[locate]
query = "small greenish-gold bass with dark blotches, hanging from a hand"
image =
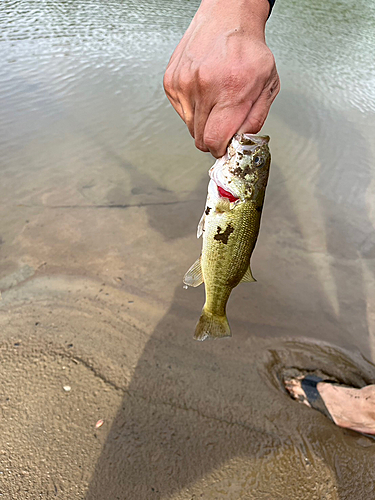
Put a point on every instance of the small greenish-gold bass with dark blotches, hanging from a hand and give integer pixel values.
(229, 228)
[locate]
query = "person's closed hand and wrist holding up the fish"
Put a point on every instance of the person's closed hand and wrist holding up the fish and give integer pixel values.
(222, 77)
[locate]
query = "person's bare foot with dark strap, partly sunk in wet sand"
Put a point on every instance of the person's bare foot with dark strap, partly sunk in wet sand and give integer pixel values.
(347, 407)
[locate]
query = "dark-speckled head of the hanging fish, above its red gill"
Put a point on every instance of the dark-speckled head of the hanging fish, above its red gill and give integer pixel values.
(243, 170)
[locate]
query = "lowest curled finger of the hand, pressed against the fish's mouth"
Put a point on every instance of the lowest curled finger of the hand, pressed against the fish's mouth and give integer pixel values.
(221, 125)
